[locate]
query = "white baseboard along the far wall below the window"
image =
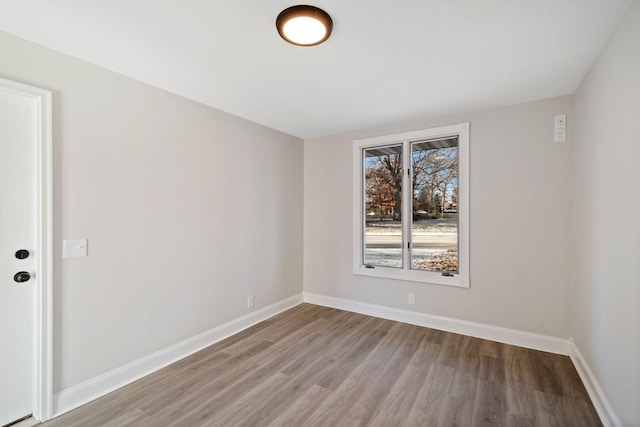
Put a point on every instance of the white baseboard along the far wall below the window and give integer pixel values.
(464, 327)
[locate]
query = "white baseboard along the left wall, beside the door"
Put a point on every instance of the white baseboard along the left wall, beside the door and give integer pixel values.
(92, 389)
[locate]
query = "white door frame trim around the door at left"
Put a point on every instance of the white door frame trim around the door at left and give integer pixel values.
(42, 302)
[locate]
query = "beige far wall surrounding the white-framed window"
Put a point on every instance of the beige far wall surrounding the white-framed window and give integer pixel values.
(520, 222)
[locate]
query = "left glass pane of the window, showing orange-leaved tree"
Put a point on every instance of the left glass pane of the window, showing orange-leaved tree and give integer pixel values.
(383, 206)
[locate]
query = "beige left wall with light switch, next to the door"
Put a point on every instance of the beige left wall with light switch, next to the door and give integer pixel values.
(188, 210)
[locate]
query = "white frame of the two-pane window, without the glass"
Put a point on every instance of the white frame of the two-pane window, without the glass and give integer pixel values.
(459, 279)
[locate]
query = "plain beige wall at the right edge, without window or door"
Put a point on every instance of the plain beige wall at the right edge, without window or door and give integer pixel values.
(606, 287)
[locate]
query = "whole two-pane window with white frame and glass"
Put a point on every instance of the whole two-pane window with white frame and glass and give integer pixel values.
(411, 206)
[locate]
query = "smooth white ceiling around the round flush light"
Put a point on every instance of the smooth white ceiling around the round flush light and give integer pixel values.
(385, 61)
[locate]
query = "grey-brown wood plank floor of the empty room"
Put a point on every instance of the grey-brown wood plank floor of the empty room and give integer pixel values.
(316, 366)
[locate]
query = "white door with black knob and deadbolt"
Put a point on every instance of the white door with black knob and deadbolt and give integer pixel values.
(18, 222)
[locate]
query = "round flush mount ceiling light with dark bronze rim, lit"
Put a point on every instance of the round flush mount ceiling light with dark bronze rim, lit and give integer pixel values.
(304, 25)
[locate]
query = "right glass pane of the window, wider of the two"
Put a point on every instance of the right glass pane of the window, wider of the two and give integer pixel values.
(434, 227)
